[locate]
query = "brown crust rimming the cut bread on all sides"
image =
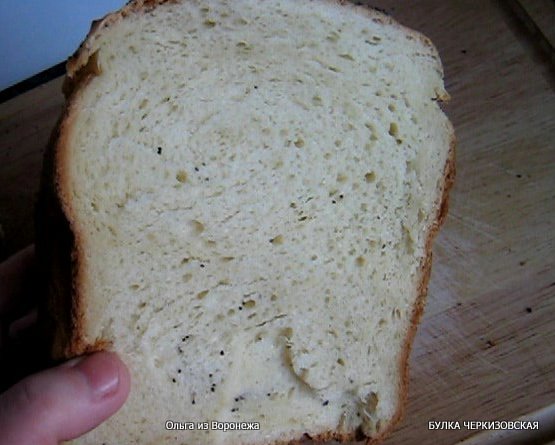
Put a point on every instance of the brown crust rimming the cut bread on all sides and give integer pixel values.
(60, 239)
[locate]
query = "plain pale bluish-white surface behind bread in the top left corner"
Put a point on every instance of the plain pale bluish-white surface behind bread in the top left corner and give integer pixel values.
(38, 34)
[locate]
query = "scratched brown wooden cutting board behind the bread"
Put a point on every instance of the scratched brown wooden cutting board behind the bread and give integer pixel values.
(486, 347)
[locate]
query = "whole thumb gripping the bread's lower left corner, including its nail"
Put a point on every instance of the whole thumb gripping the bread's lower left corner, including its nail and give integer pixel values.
(64, 402)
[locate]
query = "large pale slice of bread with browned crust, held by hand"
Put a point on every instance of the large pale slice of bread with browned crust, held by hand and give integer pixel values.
(240, 200)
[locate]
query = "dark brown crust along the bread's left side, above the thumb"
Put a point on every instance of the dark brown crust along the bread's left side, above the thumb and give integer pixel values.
(57, 252)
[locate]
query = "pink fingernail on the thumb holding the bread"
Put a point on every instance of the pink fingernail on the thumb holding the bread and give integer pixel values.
(101, 372)
